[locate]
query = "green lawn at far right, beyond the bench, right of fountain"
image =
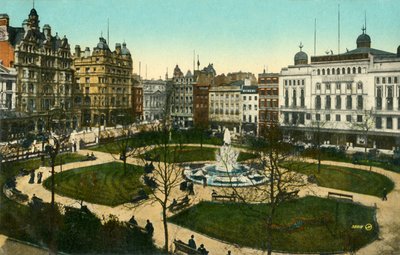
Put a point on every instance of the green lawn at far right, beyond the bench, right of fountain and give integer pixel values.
(348, 179)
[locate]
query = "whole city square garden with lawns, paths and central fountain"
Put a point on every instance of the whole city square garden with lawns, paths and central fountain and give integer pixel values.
(148, 175)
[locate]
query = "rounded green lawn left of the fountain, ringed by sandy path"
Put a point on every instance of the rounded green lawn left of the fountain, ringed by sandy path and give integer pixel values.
(105, 184)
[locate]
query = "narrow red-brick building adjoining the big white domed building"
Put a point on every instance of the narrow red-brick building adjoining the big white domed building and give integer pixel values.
(268, 92)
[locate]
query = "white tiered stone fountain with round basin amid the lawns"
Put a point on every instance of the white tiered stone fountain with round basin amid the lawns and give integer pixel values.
(226, 171)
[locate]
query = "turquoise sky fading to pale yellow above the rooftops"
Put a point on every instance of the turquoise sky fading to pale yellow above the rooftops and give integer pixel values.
(234, 35)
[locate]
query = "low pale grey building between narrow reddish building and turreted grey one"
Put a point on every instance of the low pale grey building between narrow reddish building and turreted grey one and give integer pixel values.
(154, 98)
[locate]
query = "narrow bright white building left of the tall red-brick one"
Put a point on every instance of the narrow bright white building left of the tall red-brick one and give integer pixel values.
(249, 104)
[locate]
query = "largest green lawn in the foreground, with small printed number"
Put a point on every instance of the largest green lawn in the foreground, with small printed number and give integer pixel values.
(304, 225)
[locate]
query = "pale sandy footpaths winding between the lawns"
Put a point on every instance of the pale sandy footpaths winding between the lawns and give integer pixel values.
(387, 211)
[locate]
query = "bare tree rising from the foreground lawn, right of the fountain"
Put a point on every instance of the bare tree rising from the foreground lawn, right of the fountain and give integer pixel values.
(277, 163)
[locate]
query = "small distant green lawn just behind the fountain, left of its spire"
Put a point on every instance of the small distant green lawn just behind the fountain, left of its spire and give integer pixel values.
(184, 154)
